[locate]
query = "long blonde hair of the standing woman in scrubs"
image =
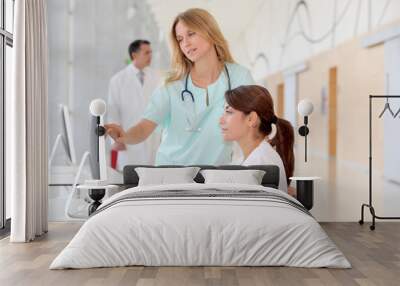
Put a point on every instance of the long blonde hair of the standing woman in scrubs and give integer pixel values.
(202, 22)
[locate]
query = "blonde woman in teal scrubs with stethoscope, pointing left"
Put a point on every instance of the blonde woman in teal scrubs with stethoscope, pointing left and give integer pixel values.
(189, 105)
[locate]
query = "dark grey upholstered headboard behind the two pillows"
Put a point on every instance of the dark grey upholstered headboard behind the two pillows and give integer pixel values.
(270, 179)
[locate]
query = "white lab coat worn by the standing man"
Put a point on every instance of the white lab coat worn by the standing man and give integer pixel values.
(127, 100)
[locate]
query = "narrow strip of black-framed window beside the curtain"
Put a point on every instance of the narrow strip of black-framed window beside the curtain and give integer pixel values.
(6, 65)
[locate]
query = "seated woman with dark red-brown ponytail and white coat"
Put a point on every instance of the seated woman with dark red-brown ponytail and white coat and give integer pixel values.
(249, 119)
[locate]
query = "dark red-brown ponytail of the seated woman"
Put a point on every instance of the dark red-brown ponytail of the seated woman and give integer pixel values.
(283, 141)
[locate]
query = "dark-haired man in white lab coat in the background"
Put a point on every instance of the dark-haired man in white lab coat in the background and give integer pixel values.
(129, 92)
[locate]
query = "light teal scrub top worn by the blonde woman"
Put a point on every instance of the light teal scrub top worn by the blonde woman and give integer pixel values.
(204, 145)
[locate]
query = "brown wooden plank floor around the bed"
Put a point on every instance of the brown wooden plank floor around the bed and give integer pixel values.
(374, 255)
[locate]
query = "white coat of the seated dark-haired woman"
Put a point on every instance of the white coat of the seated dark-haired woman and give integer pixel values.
(265, 154)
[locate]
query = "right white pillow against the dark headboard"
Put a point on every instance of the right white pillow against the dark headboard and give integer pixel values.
(248, 177)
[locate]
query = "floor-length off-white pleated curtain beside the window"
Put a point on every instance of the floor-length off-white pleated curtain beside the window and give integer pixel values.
(26, 117)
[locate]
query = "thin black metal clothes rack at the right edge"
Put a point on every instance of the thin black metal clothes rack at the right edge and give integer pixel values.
(369, 205)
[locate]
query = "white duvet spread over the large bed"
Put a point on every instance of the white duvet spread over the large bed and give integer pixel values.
(200, 231)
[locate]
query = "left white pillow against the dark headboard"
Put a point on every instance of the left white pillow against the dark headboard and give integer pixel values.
(162, 176)
